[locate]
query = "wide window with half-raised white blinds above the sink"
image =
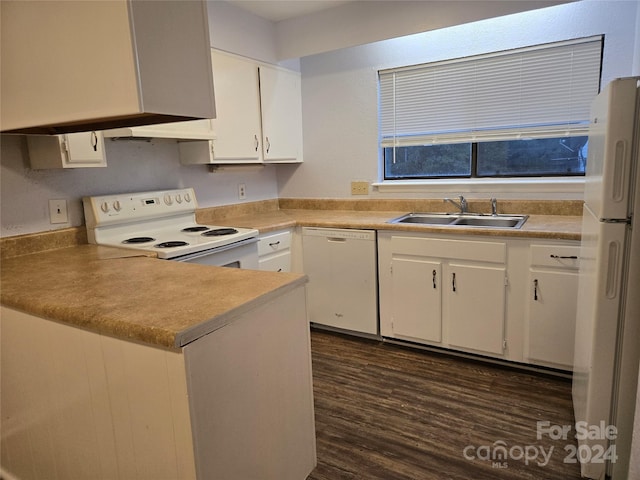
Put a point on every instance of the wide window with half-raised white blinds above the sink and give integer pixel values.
(518, 113)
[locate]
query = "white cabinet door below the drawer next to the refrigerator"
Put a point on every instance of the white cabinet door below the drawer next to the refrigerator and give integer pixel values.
(552, 316)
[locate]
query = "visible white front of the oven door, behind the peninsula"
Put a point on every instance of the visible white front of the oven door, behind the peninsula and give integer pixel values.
(242, 254)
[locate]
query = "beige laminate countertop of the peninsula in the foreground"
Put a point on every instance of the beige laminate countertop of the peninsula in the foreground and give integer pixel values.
(137, 298)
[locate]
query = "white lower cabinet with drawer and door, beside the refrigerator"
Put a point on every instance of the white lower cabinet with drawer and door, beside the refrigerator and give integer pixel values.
(551, 305)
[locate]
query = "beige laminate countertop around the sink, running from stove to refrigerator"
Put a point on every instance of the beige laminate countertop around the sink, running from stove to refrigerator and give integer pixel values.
(559, 227)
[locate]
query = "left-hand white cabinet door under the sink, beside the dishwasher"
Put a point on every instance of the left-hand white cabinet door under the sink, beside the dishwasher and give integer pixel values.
(416, 292)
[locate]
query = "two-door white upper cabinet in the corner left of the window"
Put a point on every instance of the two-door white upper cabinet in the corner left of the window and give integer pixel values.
(259, 115)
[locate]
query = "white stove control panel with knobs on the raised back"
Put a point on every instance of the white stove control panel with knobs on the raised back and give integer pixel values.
(134, 207)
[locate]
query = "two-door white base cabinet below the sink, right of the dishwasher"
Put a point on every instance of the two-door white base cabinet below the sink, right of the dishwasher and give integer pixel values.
(443, 291)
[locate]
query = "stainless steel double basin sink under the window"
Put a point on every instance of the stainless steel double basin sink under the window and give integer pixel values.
(463, 220)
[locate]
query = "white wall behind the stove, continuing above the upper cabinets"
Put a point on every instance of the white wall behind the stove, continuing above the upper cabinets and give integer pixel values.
(134, 165)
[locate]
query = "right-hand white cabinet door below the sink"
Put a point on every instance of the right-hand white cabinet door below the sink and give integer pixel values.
(475, 306)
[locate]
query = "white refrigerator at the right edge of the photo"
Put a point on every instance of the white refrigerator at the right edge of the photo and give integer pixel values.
(607, 344)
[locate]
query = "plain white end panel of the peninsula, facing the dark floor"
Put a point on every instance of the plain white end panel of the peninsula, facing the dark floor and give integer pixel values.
(251, 395)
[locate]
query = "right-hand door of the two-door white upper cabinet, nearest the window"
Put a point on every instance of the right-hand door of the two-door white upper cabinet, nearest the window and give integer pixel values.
(281, 101)
